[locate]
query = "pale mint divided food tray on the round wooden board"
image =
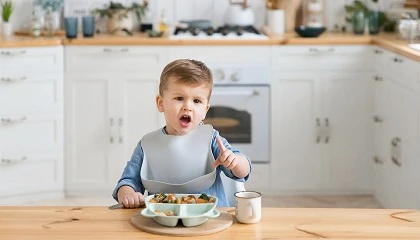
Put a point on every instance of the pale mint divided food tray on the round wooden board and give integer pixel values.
(191, 215)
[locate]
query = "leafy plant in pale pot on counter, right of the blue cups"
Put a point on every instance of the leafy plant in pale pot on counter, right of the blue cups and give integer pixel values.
(120, 18)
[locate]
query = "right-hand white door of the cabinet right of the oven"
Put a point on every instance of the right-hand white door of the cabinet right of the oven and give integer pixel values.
(346, 112)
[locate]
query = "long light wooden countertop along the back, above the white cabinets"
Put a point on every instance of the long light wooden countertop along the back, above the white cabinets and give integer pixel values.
(387, 41)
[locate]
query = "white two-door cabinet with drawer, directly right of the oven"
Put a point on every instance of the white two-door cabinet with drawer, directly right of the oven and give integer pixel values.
(320, 139)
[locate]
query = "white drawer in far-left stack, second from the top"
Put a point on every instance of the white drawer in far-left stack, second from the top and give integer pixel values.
(20, 92)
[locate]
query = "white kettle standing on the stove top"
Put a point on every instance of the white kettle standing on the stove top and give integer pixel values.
(239, 14)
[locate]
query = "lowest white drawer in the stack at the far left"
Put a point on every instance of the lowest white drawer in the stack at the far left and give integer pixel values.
(43, 173)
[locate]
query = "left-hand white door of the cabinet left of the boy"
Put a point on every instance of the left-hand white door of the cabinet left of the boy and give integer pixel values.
(89, 132)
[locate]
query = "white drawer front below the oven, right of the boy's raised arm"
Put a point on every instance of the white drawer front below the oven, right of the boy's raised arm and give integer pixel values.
(260, 178)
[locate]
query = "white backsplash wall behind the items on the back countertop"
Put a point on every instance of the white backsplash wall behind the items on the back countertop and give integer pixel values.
(175, 10)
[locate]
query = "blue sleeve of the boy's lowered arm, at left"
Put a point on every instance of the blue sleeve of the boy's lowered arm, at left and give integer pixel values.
(131, 174)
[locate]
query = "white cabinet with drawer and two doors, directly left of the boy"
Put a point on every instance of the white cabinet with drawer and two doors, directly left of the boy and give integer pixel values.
(108, 112)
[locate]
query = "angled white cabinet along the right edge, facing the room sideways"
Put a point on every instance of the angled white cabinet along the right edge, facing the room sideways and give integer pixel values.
(396, 131)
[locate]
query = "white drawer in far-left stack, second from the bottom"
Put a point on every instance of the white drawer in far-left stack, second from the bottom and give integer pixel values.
(30, 132)
